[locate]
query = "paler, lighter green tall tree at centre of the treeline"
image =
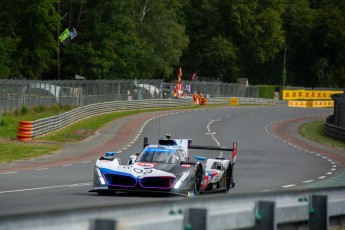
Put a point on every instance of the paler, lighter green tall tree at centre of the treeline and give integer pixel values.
(161, 35)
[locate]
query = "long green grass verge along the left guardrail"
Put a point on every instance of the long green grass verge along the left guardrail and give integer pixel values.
(12, 150)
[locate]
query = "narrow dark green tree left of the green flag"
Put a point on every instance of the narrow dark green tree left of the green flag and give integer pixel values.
(35, 22)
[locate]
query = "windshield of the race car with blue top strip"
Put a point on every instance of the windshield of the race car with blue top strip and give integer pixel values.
(157, 155)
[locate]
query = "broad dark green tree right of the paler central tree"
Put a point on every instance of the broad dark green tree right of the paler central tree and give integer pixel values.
(253, 27)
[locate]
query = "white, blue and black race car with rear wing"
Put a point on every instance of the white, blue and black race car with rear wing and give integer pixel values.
(165, 168)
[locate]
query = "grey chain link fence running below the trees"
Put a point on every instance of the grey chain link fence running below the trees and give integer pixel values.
(15, 94)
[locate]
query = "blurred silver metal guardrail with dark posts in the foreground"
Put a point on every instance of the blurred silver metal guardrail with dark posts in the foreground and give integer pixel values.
(315, 209)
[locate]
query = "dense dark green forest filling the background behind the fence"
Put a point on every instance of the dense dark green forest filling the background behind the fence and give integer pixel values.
(282, 42)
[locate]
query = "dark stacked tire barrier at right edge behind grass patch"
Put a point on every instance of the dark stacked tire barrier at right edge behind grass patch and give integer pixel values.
(335, 124)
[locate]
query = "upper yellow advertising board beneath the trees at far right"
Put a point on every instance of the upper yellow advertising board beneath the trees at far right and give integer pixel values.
(309, 94)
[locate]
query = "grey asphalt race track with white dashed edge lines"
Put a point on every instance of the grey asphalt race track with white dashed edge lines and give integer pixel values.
(271, 156)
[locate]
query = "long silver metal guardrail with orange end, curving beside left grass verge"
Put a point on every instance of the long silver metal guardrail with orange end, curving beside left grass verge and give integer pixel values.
(49, 124)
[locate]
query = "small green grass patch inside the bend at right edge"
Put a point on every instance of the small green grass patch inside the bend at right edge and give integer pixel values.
(314, 131)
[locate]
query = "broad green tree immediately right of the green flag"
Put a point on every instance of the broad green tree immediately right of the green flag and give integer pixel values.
(107, 45)
